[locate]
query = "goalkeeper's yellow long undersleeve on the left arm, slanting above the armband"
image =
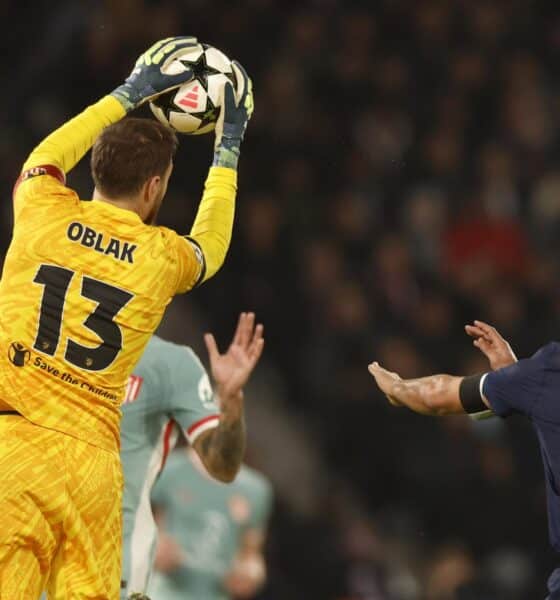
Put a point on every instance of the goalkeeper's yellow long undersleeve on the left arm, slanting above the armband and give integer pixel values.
(67, 145)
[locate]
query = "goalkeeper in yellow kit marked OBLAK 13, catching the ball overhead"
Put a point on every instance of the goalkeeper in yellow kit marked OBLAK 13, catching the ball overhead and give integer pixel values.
(84, 286)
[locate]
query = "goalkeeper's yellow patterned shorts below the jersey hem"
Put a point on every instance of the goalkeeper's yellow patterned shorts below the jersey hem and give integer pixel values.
(60, 501)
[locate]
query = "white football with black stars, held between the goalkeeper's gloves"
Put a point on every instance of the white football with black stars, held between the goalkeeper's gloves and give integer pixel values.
(195, 106)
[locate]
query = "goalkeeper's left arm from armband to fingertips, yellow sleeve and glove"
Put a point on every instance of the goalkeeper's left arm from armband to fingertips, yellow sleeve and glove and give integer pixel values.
(63, 148)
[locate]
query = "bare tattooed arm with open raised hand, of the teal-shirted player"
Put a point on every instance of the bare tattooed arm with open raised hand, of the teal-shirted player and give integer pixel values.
(222, 448)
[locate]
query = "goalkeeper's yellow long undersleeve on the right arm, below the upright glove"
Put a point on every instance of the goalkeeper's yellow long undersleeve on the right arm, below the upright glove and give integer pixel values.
(214, 220)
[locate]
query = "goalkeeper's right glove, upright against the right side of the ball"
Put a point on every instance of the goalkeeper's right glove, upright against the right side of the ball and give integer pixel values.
(233, 119)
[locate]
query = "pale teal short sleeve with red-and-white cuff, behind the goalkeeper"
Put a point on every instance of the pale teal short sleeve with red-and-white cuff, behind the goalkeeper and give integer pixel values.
(192, 403)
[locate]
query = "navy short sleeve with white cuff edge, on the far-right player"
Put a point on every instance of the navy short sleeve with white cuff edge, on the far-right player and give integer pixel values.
(518, 388)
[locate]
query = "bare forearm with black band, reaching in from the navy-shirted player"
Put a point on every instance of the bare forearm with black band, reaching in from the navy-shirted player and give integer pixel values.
(436, 395)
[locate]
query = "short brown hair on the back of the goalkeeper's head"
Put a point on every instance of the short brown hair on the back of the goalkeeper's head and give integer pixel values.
(128, 153)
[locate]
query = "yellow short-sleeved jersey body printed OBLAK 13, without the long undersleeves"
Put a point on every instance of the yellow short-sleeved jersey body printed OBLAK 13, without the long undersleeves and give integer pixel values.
(48, 388)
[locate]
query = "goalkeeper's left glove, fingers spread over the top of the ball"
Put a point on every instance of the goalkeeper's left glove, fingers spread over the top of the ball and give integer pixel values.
(148, 79)
